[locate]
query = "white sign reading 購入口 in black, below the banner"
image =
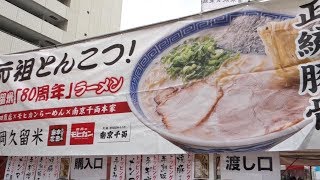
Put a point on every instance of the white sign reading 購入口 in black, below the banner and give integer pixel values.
(88, 167)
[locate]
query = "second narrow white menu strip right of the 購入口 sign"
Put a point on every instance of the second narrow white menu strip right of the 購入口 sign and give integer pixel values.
(133, 167)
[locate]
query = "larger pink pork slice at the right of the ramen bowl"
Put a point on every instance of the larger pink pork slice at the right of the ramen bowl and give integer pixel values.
(251, 106)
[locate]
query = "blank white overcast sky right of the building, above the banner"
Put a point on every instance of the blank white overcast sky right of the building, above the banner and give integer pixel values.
(142, 12)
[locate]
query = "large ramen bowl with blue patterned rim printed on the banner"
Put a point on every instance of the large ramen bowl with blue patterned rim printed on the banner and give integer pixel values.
(221, 85)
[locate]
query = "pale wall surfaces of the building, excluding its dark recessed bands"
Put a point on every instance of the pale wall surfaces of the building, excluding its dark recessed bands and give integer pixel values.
(104, 17)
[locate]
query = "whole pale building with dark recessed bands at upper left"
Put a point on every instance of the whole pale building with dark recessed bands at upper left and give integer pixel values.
(31, 24)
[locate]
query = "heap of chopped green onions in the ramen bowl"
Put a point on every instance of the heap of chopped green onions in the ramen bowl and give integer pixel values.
(195, 59)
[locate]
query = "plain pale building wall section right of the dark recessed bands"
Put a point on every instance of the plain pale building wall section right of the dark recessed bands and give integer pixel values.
(104, 17)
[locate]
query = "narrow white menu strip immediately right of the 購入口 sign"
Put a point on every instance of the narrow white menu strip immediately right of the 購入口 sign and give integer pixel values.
(118, 168)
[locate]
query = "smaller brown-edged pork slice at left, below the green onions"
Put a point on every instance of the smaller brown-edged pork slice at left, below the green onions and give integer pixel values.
(188, 107)
